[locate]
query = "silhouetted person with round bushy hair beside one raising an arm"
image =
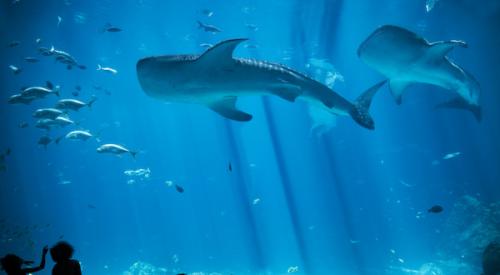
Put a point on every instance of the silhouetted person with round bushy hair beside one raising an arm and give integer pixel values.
(61, 253)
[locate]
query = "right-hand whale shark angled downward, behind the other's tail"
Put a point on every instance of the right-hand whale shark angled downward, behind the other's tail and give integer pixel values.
(406, 58)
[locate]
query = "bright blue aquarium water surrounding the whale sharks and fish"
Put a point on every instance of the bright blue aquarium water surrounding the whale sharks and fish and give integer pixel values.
(344, 201)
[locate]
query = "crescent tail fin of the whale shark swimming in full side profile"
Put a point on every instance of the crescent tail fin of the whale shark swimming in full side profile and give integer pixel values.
(361, 111)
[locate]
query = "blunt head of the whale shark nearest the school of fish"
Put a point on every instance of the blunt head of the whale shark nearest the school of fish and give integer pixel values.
(165, 76)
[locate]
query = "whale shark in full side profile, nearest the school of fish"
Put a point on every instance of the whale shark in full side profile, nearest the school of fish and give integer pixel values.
(215, 79)
